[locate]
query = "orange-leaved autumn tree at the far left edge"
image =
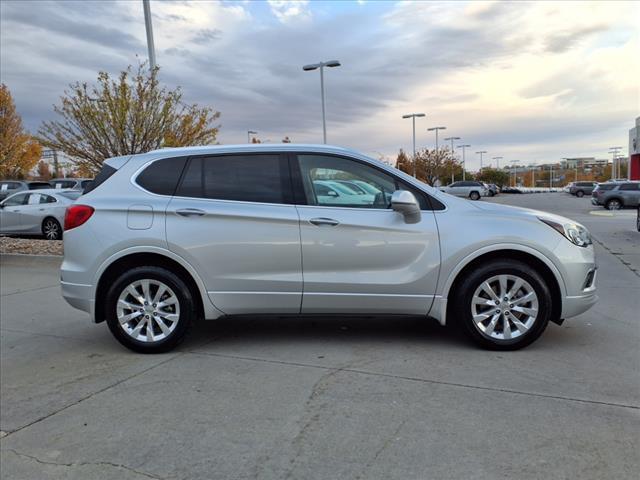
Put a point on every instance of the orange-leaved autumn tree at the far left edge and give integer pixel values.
(19, 151)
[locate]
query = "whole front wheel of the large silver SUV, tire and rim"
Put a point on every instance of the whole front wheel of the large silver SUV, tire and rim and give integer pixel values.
(502, 305)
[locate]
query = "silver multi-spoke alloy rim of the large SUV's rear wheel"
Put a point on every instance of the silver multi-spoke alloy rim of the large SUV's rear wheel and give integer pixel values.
(148, 310)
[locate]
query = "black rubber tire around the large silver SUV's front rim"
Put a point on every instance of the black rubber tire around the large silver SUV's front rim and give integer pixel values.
(461, 316)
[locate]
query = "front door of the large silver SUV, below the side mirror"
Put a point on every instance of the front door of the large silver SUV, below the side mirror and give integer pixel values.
(359, 256)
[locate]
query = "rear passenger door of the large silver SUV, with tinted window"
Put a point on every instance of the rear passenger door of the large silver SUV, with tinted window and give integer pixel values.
(233, 219)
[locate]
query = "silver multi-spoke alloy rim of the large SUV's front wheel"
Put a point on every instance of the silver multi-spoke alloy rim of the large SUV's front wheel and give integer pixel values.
(504, 307)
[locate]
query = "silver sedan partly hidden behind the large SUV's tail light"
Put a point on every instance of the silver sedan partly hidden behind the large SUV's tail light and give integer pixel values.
(36, 213)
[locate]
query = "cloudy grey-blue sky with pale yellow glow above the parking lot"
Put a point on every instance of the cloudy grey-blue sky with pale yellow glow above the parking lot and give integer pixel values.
(529, 81)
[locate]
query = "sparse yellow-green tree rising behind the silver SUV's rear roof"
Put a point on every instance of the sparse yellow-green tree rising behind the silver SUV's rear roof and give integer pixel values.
(129, 114)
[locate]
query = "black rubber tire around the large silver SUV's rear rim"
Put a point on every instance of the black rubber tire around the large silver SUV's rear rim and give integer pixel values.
(187, 306)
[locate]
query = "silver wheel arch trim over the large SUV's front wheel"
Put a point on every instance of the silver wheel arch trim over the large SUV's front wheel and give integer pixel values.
(527, 255)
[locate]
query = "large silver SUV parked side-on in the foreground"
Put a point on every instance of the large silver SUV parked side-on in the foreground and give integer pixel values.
(173, 235)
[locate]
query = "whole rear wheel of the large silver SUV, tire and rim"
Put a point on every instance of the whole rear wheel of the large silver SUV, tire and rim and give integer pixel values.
(150, 309)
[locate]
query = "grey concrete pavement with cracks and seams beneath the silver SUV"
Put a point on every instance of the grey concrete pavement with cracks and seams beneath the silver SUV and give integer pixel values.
(325, 398)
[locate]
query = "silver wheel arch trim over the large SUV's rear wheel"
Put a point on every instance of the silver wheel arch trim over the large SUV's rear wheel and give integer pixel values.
(113, 267)
